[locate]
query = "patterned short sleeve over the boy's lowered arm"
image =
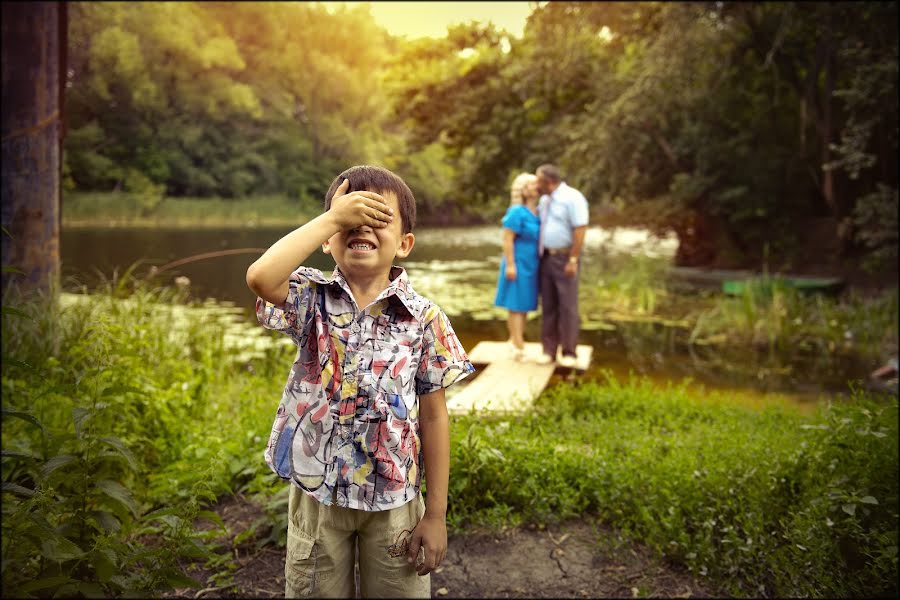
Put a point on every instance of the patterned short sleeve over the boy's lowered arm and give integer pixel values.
(443, 361)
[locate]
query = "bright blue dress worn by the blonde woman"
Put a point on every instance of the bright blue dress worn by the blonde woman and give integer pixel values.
(520, 295)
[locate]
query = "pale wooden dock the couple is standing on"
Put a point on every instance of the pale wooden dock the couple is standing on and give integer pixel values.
(503, 384)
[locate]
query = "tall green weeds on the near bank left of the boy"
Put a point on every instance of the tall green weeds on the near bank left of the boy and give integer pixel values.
(124, 417)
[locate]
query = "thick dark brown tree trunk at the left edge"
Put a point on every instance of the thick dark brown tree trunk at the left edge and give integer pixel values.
(33, 83)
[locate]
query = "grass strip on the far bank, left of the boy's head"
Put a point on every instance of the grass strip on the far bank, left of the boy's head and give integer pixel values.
(133, 210)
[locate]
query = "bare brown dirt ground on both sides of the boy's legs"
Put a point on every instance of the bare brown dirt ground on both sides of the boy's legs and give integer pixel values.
(574, 560)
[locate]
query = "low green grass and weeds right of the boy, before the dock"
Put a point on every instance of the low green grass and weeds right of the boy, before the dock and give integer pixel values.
(761, 502)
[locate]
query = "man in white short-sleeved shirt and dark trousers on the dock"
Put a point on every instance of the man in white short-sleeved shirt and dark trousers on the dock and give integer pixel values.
(564, 218)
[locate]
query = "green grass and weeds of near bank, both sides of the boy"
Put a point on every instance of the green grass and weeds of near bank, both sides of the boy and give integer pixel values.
(127, 413)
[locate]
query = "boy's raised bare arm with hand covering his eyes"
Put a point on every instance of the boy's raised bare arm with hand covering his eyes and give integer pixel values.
(268, 276)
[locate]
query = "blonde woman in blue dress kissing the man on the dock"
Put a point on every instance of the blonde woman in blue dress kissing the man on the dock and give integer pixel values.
(517, 285)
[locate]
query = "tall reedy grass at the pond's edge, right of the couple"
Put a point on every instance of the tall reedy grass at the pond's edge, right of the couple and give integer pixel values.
(768, 315)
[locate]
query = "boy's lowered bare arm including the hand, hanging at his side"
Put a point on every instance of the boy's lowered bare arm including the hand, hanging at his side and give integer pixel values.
(431, 532)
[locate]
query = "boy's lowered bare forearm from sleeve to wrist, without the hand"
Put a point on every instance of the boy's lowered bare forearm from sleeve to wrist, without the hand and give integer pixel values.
(434, 429)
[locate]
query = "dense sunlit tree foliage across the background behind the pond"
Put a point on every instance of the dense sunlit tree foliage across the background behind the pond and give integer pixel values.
(745, 127)
